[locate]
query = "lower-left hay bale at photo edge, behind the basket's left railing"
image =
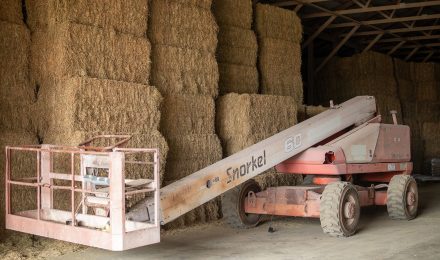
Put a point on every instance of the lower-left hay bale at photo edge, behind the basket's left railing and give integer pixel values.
(23, 164)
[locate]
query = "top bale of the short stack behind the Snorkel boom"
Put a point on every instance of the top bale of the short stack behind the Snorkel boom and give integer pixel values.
(253, 115)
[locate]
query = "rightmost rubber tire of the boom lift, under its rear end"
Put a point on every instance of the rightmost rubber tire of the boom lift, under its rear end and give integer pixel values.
(397, 197)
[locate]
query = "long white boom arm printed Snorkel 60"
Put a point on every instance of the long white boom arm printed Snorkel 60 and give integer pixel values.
(212, 181)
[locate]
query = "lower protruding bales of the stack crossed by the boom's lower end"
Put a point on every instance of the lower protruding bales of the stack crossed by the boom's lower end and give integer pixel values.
(188, 125)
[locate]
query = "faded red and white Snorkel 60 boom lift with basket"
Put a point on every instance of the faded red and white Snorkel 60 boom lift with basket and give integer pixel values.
(355, 160)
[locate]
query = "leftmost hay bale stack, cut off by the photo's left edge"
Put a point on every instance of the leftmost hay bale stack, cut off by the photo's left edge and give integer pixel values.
(16, 97)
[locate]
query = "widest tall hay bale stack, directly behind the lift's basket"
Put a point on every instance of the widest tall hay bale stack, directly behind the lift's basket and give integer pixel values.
(90, 65)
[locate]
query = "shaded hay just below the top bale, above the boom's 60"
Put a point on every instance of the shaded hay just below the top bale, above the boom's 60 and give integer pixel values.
(280, 68)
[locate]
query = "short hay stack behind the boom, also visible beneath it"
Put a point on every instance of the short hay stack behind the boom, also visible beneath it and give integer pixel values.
(243, 120)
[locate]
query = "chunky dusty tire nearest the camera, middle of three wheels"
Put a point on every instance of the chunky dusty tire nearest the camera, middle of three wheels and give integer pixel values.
(333, 200)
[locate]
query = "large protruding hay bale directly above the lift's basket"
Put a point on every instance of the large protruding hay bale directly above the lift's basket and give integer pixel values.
(86, 104)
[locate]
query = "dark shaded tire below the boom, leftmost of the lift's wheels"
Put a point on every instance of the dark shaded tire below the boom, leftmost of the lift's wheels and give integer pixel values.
(233, 206)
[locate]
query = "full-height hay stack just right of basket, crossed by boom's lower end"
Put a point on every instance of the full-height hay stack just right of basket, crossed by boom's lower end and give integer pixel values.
(184, 69)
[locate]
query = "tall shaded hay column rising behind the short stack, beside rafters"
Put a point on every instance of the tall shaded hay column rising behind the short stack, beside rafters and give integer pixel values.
(279, 34)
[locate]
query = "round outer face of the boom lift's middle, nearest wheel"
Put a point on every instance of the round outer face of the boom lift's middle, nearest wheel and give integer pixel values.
(349, 211)
